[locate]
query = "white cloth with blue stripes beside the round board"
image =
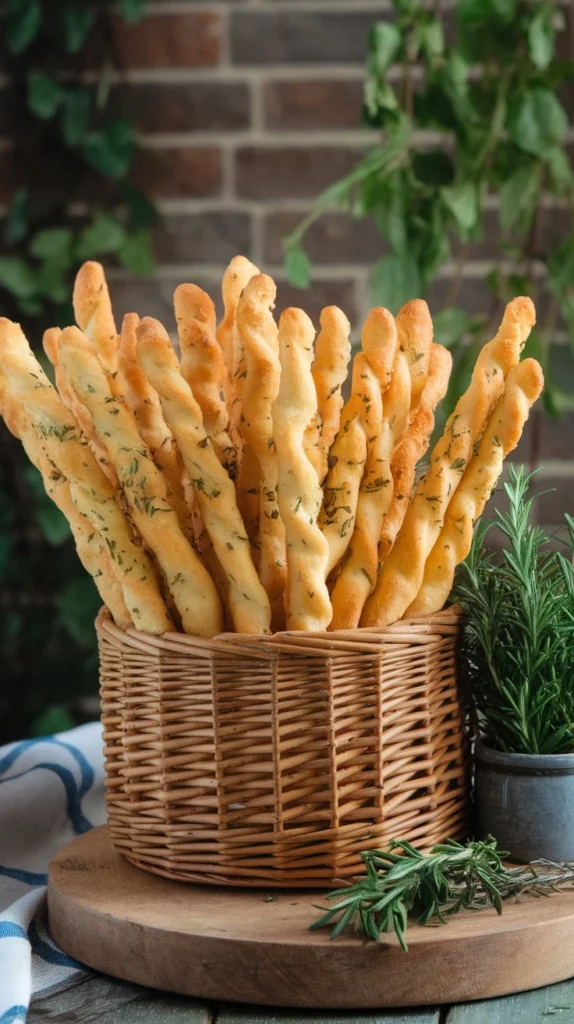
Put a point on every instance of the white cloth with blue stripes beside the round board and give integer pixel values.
(52, 790)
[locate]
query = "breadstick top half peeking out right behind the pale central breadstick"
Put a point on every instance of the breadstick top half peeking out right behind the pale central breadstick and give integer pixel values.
(333, 353)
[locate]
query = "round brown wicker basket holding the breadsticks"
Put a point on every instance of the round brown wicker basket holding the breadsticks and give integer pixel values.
(254, 761)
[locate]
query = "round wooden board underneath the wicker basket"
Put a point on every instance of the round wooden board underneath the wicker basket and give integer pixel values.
(254, 946)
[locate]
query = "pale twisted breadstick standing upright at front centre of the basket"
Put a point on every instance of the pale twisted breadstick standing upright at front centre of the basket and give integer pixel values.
(300, 495)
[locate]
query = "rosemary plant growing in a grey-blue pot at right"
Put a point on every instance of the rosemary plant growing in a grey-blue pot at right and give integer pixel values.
(519, 649)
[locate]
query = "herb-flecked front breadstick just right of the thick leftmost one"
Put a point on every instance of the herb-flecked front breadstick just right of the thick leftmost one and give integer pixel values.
(189, 582)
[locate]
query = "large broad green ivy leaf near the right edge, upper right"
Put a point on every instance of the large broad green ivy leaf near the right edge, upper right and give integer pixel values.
(537, 121)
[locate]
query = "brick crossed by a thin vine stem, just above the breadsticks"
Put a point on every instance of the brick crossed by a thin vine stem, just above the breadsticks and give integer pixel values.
(336, 238)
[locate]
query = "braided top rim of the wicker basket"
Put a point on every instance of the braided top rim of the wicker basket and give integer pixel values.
(410, 631)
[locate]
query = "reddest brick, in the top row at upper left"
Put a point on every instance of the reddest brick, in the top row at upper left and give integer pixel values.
(180, 40)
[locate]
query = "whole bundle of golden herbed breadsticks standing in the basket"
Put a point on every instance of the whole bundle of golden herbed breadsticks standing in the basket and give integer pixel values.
(234, 489)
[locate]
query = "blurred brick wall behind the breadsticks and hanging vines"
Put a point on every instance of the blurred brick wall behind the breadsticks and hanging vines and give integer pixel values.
(246, 109)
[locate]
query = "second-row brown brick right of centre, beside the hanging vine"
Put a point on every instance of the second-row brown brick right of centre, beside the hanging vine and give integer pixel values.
(308, 105)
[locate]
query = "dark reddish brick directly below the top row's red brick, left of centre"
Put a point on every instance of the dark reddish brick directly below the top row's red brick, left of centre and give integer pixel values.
(190, 107)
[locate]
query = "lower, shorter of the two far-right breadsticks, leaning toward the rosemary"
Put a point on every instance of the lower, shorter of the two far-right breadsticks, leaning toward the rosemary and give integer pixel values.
(504, 430)
